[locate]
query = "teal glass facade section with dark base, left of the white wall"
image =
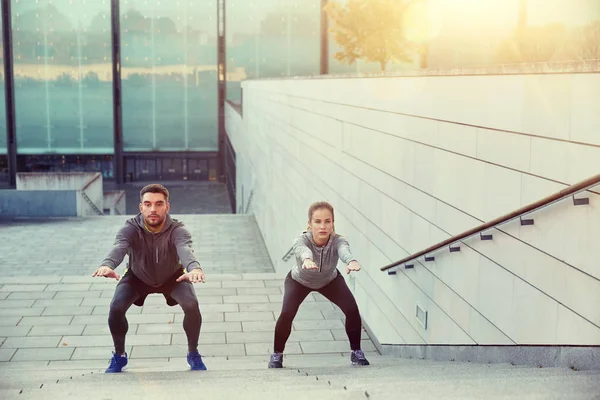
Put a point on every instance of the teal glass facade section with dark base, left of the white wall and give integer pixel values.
(67, 97)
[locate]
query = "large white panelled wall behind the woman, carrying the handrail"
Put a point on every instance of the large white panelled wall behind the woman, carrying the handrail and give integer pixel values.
(408, 162)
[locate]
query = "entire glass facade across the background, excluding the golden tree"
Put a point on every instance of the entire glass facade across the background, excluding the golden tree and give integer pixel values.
(135, 89)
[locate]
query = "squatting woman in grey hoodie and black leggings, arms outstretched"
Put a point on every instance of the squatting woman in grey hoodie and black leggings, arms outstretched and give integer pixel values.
(317, 253)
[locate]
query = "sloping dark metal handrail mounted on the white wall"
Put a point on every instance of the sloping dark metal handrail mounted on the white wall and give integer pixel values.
(558, 196)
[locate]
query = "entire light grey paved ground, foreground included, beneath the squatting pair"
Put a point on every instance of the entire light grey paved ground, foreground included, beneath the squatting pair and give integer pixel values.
(55, 343)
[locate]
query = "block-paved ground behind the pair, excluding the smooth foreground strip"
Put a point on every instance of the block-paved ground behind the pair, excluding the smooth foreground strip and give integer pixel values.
(53, 314)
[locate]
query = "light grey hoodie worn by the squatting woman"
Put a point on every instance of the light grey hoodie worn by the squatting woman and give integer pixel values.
(326, 258)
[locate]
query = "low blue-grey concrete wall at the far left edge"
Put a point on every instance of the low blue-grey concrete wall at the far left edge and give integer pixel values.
(35, 203)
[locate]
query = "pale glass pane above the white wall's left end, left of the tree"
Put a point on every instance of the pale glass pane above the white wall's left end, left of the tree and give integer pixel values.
(271, 38)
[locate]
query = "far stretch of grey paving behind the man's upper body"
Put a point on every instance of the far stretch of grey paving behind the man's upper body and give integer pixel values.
(225, 243)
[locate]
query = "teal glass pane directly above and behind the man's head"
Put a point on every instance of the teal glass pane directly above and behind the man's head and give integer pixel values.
(169, 75)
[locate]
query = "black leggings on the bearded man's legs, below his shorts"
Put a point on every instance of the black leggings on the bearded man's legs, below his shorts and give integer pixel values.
(126, 294)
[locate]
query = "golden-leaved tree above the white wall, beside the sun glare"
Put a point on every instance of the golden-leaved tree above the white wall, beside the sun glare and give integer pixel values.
(371, 30)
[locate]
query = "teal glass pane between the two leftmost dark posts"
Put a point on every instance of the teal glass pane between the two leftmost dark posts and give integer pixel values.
(63, 76)
